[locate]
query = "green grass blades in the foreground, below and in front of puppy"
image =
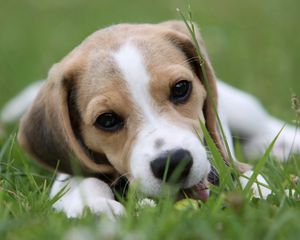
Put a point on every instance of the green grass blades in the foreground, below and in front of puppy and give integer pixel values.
(230, 212)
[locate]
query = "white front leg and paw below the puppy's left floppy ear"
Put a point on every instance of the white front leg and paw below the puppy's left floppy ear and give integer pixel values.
(80, 193)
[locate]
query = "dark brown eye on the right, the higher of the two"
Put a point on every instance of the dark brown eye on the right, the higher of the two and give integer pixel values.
(181, 91)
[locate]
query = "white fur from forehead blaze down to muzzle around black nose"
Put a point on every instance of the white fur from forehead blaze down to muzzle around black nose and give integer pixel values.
(154, 127)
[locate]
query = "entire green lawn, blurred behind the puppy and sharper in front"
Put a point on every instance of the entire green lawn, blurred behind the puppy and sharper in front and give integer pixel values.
(254, 45)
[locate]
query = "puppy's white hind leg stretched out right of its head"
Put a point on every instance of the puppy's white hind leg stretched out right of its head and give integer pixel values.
(250, 121)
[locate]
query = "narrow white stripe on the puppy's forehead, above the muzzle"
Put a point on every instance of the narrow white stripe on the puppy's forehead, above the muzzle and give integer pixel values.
(131, 63)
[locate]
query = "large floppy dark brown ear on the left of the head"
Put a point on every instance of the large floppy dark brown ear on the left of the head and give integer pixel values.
(50, 132)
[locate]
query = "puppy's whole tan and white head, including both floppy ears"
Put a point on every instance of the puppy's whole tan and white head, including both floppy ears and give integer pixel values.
(128, 100)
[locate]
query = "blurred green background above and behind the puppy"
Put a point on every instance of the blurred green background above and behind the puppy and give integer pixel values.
(254, 45)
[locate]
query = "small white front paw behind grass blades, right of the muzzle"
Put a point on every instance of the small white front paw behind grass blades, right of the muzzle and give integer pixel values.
(259, 187)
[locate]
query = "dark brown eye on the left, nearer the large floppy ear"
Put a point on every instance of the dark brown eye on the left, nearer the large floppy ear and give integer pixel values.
(109, 122)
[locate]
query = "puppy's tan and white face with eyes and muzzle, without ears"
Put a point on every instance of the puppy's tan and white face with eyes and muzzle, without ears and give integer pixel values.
(142, 108)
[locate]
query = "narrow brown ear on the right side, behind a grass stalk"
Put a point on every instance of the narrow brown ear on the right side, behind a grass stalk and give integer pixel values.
(180, 36)
